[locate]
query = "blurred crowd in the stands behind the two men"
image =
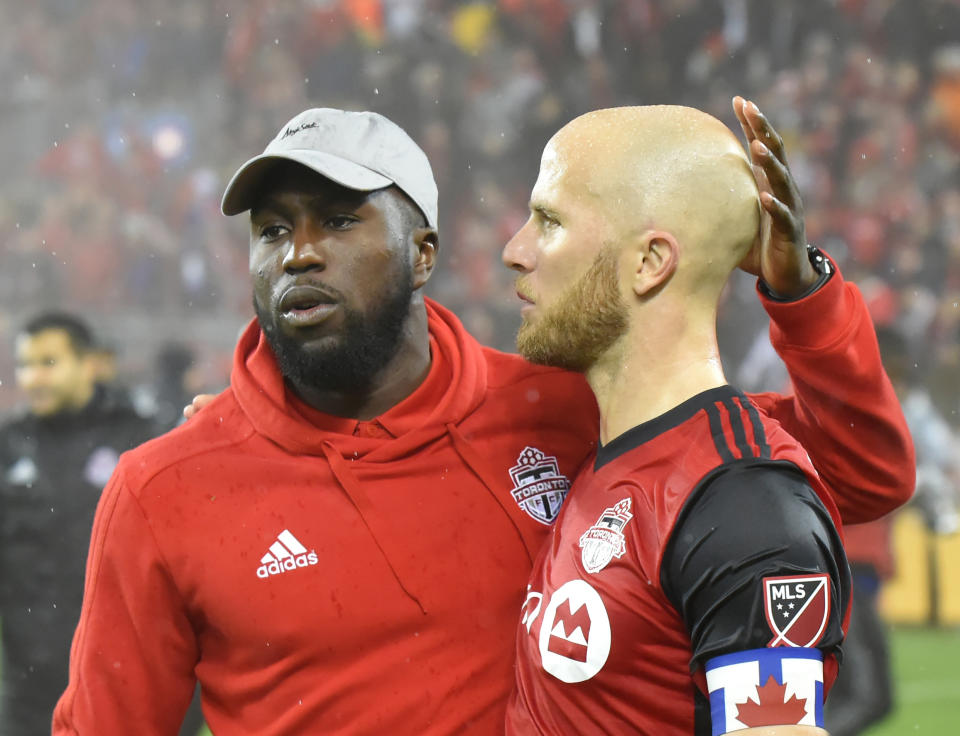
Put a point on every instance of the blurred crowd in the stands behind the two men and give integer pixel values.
(123, 120)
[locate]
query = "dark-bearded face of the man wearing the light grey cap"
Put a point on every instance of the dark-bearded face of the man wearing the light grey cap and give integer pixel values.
(336, 278)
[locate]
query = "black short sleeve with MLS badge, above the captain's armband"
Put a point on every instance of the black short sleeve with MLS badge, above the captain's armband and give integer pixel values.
(747, 521)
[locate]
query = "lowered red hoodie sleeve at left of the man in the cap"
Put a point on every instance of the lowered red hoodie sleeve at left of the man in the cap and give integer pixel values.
(134, 650)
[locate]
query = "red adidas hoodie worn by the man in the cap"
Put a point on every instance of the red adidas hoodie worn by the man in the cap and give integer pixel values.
(331, 576)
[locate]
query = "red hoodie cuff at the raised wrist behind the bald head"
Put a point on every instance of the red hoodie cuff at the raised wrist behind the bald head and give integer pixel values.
(814, 320)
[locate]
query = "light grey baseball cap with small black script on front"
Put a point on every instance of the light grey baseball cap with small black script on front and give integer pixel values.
(359, 150)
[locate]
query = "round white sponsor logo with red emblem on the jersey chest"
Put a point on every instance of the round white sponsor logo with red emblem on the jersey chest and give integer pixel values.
(575, 633)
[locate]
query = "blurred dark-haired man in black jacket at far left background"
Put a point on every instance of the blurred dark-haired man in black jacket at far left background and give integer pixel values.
(55, 459)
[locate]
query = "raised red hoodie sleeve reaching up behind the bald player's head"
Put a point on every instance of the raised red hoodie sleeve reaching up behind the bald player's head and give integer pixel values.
(844, 410)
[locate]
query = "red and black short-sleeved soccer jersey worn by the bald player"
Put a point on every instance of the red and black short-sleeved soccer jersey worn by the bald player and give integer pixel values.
(657, 564)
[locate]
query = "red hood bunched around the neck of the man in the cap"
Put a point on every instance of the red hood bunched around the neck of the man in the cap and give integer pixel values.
(453, 388)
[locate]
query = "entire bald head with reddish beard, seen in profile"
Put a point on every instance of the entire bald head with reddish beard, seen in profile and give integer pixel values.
(630, 203)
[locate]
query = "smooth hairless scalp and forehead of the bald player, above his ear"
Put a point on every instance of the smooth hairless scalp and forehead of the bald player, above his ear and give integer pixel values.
(663, 167)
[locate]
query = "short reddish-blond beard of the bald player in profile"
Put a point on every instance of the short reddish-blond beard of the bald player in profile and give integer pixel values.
(586, 321)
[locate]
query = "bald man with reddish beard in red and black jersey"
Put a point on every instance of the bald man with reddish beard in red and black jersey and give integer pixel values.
(694, 581)
